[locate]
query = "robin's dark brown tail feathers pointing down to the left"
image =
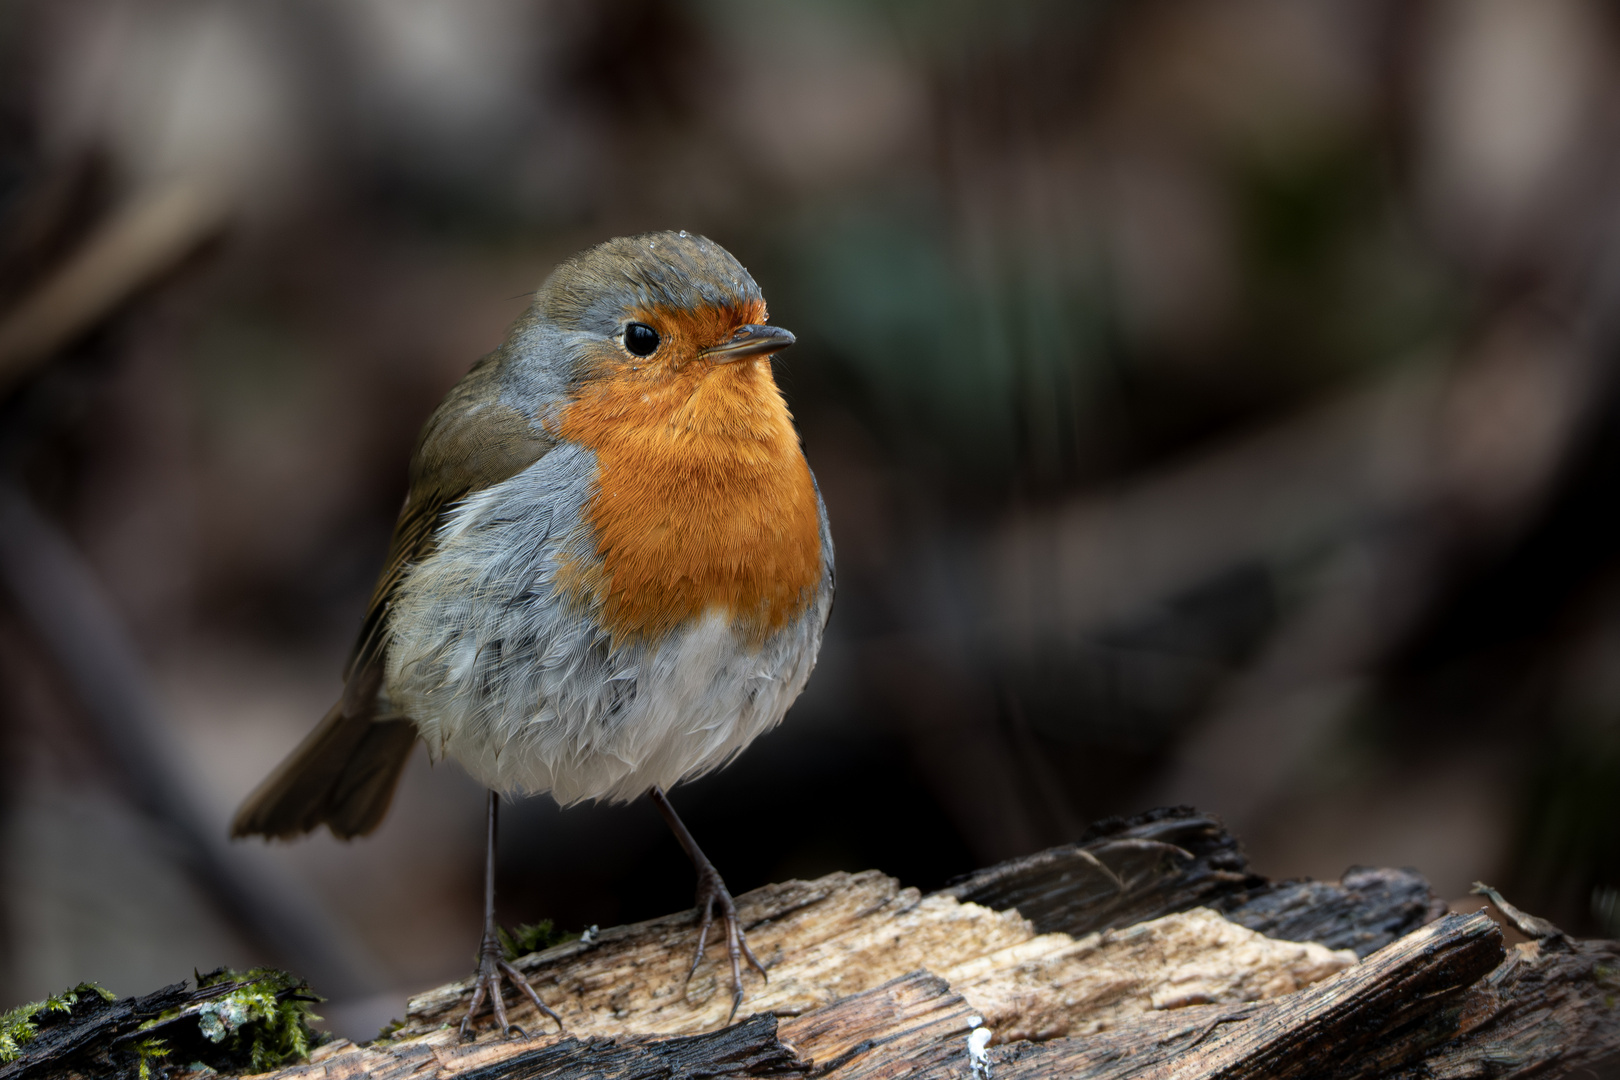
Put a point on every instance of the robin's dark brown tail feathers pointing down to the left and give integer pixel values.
(343, 775)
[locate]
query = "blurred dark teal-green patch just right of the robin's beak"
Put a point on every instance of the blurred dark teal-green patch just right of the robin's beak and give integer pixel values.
(987, 364)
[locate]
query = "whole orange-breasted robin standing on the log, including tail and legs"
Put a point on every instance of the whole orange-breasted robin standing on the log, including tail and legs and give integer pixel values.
(612, 572)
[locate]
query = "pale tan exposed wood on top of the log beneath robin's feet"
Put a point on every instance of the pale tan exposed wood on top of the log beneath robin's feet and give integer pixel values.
(848, 933)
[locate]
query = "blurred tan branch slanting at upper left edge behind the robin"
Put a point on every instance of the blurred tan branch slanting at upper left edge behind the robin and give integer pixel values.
(142, 242)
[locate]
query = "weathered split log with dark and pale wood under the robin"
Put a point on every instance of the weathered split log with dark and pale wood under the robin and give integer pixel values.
(1146, 951)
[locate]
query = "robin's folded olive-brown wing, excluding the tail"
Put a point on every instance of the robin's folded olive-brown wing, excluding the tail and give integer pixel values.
(472, 441)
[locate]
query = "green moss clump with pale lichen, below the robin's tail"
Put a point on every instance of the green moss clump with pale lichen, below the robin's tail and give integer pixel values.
(263, 1024)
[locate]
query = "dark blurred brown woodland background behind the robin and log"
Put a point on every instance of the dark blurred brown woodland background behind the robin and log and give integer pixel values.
(1214, 401)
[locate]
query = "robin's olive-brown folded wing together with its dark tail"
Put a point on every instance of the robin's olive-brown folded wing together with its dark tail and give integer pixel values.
(344, 773)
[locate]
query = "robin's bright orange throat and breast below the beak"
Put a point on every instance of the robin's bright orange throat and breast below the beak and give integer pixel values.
(704, 503)
